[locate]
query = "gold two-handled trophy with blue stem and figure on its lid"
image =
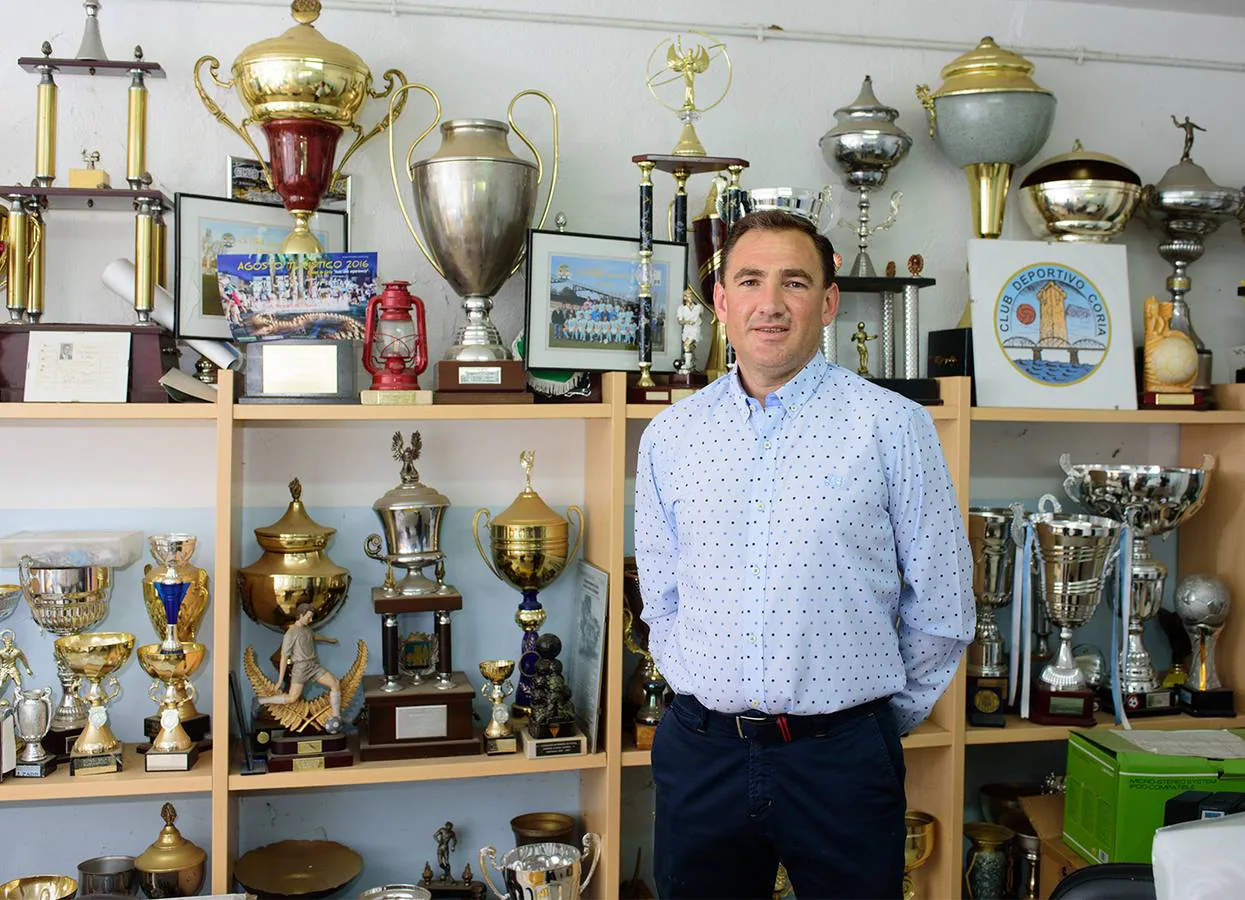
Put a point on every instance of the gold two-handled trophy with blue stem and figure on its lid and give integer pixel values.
(529, 550)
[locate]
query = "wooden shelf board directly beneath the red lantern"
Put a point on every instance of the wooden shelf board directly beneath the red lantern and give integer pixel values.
(448, 413)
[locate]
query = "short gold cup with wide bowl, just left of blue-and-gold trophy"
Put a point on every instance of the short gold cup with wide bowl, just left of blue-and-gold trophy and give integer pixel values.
(96, 657)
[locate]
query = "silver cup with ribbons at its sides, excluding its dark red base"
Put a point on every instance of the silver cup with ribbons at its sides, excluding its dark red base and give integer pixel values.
(1075, 555)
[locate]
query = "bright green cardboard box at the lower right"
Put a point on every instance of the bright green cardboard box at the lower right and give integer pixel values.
(1116, 792)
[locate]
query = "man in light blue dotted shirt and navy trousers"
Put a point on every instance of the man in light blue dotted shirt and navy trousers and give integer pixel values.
(809, 591)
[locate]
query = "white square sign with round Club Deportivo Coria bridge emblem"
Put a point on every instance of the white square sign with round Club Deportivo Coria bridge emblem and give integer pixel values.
(1051, 326)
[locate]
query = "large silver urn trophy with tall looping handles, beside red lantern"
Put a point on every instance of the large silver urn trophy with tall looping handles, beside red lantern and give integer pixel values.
(475, 201)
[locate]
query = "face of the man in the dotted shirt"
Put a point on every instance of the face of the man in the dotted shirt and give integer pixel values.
(774, 303)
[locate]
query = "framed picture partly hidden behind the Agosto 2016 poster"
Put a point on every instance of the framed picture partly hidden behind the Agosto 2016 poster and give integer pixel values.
(207, 227)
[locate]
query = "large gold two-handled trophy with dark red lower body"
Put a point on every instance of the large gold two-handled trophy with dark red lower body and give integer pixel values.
(303, 91)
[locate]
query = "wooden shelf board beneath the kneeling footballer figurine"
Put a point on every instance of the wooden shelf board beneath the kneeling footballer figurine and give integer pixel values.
(398, 772)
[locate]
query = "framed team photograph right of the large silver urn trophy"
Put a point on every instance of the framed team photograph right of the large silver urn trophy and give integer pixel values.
(583, 303)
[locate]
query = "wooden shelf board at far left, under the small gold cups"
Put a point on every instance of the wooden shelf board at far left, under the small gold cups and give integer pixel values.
(133, 781)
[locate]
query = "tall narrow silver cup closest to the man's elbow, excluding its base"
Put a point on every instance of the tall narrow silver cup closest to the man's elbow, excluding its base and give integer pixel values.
(994, 557)
